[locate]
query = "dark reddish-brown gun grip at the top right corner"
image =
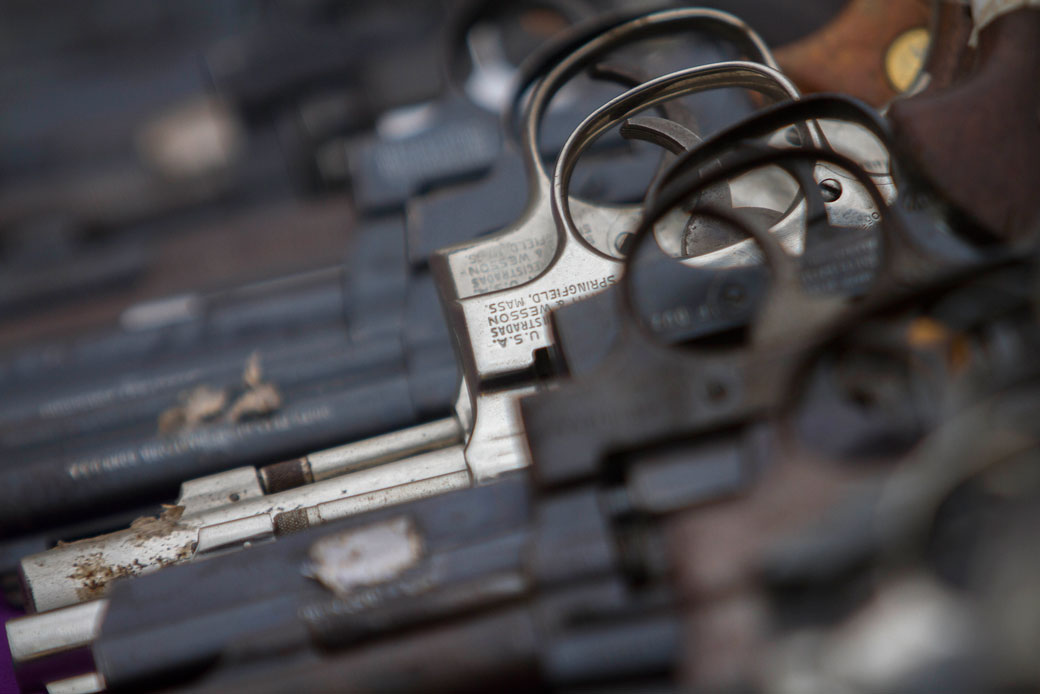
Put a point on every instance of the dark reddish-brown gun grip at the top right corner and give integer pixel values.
(978, 142)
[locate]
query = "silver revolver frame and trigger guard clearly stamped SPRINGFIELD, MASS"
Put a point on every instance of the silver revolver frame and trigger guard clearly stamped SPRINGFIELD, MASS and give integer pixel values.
(499, 333)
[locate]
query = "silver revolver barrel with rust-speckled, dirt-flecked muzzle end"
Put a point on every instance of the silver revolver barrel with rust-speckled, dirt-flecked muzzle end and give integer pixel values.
(229, 510)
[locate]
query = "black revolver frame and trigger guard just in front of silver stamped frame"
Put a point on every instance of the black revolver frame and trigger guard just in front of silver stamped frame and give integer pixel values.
(726, 388)
